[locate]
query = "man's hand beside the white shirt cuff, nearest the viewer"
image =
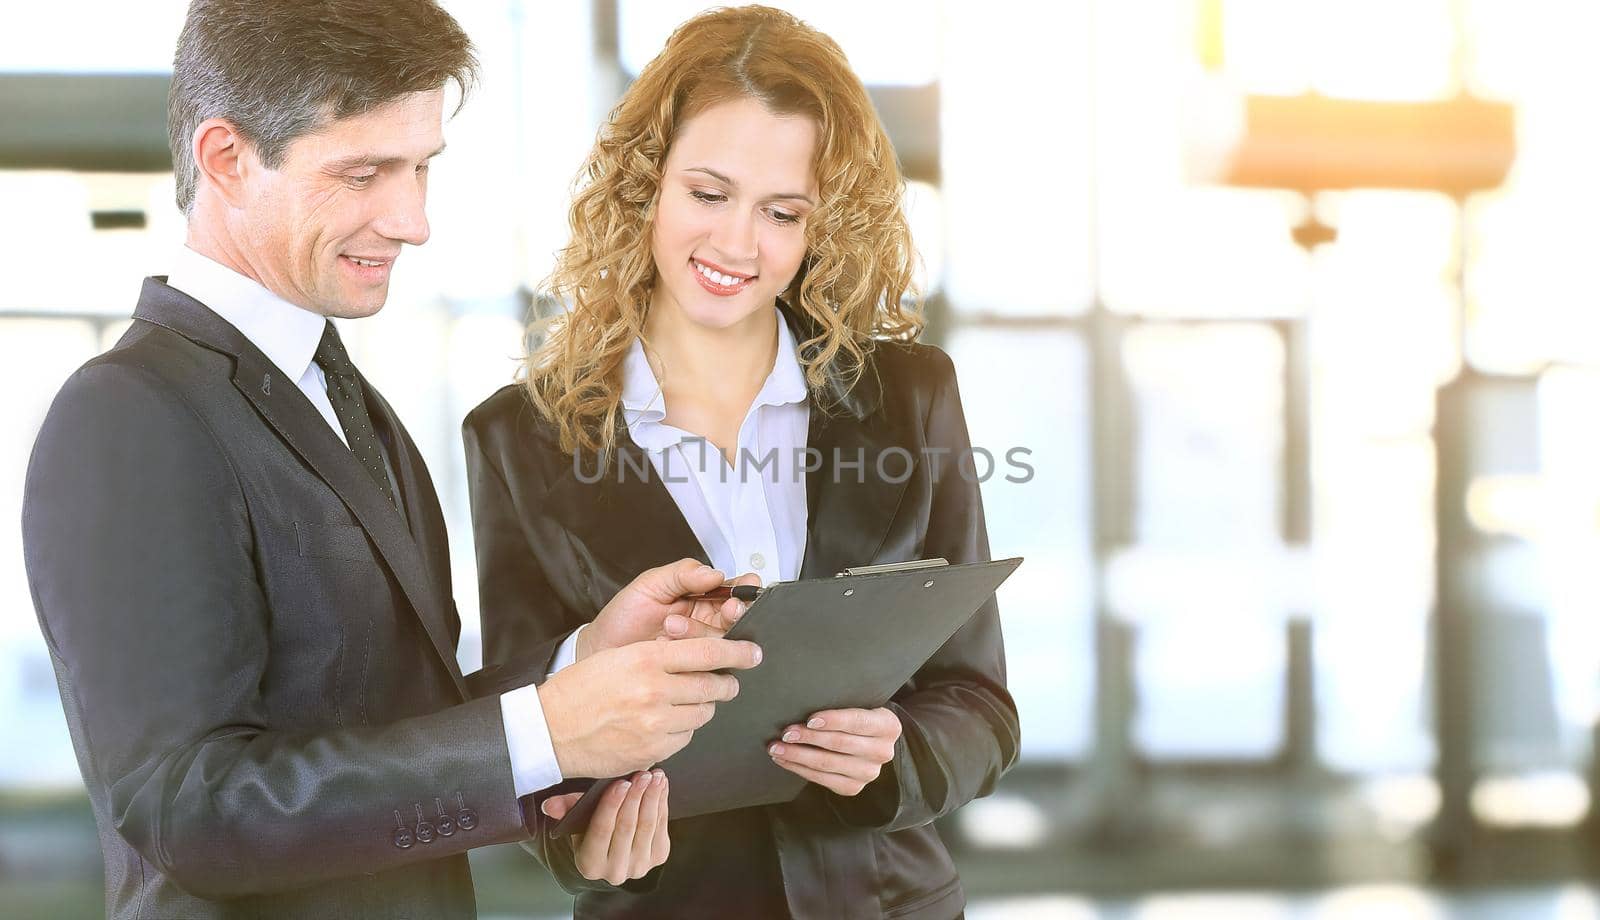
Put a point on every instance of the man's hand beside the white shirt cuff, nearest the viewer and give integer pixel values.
(631, 708)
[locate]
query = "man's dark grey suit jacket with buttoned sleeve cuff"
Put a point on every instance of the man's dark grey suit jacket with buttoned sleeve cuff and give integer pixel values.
(255, 649)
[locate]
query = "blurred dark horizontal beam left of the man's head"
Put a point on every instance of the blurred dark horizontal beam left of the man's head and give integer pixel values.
(86, 122)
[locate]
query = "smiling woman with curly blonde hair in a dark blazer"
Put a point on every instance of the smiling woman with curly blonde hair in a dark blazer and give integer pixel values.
(735, 382)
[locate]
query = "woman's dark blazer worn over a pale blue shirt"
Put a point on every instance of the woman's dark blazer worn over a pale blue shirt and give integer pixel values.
(553, 550)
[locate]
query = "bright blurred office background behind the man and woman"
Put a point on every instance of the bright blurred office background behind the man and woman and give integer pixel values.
(1294, 303)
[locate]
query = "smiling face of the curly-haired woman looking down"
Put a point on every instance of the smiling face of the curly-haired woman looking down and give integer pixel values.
(729, 234)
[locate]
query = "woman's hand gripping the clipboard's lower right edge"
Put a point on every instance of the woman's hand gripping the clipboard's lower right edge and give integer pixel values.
(841, 750)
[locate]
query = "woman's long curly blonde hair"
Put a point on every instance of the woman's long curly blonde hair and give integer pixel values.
(857, 274)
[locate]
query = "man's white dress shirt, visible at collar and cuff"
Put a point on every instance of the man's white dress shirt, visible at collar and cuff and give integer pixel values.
(289, 337)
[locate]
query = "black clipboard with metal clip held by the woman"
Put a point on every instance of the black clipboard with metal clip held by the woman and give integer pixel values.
(846, 642)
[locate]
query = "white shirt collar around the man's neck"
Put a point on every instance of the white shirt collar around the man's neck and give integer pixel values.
(287, 335)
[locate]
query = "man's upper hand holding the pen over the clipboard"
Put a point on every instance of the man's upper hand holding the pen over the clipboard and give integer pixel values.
(654, 606)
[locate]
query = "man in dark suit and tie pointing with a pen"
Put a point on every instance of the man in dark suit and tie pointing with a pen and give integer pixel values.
(238, 556)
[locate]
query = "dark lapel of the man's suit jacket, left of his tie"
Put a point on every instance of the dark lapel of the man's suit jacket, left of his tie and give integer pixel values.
(287, 410)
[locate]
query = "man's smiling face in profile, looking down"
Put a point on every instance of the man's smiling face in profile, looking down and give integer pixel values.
(326, 228)
